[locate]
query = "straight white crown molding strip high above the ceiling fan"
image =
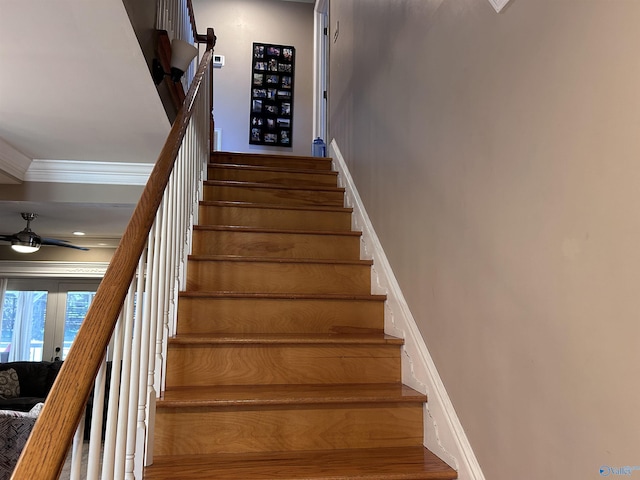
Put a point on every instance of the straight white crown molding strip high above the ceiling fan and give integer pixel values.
(104, 173)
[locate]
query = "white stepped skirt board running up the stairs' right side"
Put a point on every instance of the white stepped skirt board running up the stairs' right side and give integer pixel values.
(444, 434)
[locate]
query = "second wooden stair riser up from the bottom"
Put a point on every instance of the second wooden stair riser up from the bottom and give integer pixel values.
(281, 364)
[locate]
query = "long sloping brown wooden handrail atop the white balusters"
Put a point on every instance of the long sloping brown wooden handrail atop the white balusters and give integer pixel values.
(44, 454)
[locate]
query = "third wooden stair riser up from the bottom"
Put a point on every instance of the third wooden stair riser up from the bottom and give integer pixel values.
(248, 315)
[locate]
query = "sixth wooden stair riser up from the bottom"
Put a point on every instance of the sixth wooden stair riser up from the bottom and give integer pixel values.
(275, 218)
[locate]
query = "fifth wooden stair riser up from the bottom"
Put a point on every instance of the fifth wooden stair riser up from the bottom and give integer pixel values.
(276, 245)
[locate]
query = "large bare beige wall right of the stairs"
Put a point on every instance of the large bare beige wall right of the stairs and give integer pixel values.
(498, 156)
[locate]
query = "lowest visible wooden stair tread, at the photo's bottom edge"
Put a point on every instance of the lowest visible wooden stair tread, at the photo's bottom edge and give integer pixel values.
(403, 463)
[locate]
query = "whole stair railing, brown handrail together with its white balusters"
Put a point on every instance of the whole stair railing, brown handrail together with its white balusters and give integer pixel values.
(131, 316)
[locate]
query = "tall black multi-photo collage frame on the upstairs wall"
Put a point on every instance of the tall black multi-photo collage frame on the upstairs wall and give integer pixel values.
(272, 77)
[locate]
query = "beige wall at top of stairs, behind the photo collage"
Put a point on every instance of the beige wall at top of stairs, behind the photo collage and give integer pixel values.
(239, 23)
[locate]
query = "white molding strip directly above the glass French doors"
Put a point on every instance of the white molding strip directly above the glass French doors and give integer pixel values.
(13, 269)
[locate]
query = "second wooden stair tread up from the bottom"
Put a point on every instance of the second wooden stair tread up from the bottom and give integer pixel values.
(271, 395)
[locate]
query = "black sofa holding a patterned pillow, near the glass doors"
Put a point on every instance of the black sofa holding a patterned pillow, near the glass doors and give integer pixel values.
(35, 378)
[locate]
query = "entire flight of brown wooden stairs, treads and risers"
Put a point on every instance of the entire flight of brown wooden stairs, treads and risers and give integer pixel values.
(280, 368)
